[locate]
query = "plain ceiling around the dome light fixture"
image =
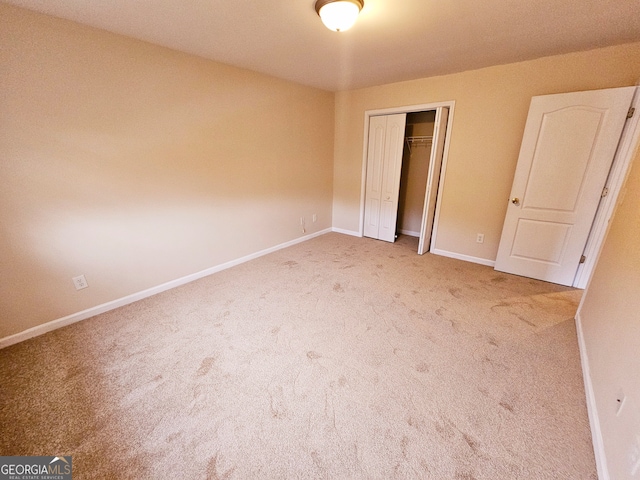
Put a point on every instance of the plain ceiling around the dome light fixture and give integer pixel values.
(393, 40)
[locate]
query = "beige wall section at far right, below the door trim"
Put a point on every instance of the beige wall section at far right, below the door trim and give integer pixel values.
(611, 327)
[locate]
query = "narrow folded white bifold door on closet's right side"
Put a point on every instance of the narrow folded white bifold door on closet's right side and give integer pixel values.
(433, 178)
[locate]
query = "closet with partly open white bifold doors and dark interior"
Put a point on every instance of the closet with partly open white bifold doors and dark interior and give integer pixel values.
(403, 172)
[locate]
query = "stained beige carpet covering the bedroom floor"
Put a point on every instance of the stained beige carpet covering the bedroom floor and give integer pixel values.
(337, 358)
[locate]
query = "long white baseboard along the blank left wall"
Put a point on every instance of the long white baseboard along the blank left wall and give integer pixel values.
(105, 307)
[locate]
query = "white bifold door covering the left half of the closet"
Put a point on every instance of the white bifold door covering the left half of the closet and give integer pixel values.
(384, 167)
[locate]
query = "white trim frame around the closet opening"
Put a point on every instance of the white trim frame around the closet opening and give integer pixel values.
(408, 109)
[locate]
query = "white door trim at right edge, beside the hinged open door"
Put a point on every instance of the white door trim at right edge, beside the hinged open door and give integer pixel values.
(629, 142)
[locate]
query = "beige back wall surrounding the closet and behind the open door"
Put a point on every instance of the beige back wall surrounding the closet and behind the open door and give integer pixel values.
(490, 113)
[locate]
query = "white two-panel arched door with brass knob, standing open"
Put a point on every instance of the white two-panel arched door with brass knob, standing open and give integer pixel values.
(567, 150)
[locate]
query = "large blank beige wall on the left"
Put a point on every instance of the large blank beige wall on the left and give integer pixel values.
(136, 165)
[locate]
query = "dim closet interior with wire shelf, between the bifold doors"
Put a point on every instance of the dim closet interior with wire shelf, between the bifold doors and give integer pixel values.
(415, 169)
